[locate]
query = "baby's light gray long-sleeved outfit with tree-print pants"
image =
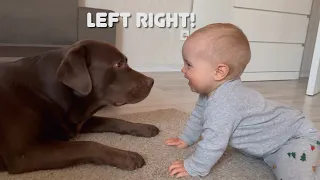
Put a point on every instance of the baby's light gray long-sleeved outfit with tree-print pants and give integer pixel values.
(241, 117)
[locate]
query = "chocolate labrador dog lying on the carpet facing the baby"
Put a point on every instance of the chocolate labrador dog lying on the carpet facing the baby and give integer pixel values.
(48, 99)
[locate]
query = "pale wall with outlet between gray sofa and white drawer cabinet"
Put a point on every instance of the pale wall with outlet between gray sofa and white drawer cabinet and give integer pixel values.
(147, 48)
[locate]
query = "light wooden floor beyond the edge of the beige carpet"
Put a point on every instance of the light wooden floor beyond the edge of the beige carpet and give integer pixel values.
(171, 90)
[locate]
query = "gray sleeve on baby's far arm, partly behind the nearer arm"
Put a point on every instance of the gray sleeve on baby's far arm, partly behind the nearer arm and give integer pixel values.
(193, 129)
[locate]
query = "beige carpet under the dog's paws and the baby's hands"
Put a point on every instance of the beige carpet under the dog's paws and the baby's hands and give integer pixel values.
(158, 156)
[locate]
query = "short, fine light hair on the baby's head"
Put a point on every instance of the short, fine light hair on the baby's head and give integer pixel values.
(227, 44)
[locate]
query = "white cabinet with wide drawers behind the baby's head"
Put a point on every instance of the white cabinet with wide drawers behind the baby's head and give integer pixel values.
(276, 30)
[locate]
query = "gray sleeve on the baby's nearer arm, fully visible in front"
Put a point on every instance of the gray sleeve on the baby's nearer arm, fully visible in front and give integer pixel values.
(218, 129)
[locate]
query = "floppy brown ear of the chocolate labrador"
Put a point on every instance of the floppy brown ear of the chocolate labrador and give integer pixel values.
(73, 70)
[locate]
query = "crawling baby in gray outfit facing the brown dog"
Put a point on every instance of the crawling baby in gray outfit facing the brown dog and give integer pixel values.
(229, 113)
